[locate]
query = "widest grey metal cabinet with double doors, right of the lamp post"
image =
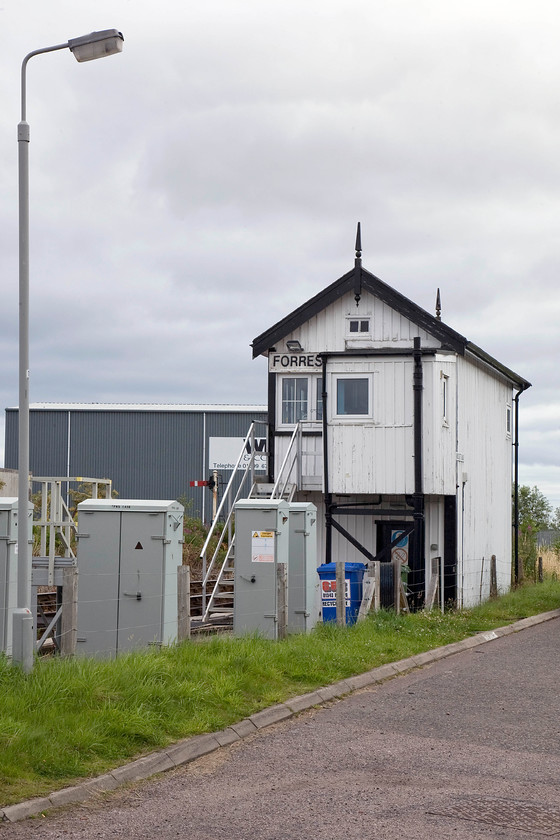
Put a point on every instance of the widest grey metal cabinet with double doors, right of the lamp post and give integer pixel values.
(128, 554)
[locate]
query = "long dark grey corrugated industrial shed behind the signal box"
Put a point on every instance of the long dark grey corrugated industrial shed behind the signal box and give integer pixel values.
(148, 451)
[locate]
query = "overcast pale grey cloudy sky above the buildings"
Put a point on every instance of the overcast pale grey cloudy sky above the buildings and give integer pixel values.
(188, 193)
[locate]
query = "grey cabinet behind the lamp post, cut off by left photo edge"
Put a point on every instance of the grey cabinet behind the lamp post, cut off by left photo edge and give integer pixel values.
(8, 566)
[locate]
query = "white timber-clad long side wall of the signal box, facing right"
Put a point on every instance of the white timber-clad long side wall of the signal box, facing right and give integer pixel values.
(484, 478)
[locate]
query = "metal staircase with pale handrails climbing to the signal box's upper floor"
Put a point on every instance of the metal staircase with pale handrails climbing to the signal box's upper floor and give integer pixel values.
(218, 593)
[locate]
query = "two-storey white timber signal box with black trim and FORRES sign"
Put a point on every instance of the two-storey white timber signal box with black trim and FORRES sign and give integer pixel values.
(407, 434)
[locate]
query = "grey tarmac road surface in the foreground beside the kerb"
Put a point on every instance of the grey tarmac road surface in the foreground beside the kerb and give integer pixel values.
(468, 747)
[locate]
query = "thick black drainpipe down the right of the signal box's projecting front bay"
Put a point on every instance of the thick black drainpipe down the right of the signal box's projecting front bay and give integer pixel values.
(418, 570)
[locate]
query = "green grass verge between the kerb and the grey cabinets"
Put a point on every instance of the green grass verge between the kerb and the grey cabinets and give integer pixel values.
(71, 719)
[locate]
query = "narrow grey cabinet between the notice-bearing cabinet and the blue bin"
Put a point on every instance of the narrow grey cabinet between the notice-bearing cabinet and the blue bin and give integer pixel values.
(303, 582)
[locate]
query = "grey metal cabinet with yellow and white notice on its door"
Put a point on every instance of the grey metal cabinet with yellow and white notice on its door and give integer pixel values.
(261, 544)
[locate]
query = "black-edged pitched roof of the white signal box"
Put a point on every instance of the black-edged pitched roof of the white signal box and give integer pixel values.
(358, 279)
